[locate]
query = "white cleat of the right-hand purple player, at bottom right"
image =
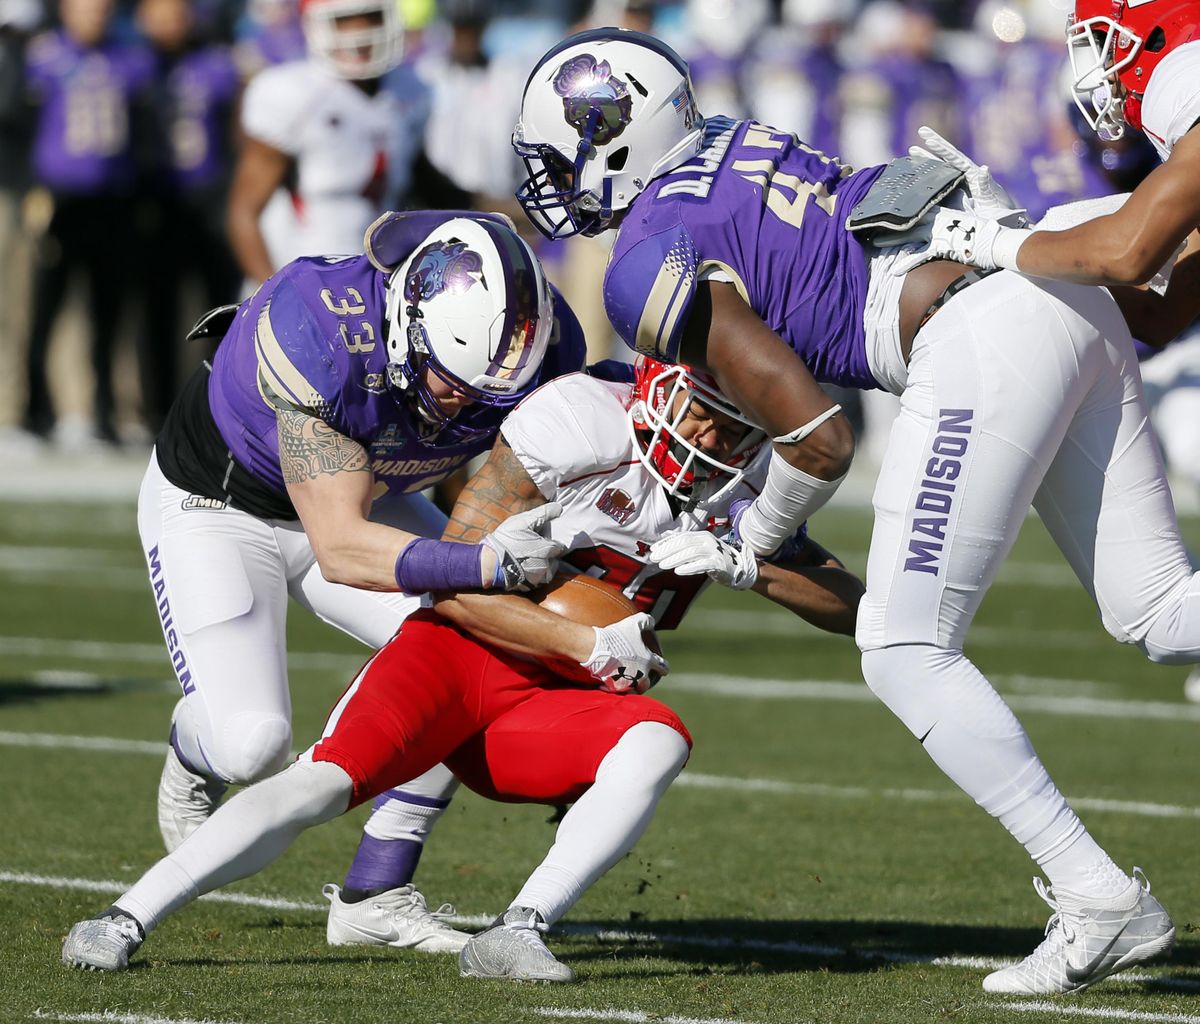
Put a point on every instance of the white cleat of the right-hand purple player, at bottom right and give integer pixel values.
(1088, 941)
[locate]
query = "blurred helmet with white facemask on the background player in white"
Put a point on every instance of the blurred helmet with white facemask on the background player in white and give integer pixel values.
(367, 52)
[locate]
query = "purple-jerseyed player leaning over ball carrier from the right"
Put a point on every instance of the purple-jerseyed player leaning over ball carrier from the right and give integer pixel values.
(734, 254)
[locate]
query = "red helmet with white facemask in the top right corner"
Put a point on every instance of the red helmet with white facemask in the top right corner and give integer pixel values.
(1115, 47)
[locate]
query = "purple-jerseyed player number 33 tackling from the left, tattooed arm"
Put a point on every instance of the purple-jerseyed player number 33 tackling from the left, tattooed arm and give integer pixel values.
(340, 391)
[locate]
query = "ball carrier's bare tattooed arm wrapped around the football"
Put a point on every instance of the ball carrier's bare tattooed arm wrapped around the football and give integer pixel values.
(503, 488)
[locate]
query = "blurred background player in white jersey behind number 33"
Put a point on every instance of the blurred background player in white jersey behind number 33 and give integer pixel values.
(329, 141)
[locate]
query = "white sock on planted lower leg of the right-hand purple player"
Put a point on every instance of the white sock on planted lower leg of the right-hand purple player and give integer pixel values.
(977, 741)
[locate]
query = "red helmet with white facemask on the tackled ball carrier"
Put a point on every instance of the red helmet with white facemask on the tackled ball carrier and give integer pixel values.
(663, 397)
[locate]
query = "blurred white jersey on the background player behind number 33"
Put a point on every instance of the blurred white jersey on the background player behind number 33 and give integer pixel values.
(346, 146)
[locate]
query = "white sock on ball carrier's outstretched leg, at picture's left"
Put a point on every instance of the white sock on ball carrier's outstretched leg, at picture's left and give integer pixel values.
(244, 836)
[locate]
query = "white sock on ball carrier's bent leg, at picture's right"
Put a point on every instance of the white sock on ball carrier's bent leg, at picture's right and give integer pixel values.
(608, 821)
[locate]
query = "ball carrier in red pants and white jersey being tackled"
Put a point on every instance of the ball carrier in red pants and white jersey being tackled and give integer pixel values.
(629, 465)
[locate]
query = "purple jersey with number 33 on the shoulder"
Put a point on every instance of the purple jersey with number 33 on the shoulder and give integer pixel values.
(313, 336)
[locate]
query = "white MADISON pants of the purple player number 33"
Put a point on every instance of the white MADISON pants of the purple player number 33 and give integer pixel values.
(221, 580)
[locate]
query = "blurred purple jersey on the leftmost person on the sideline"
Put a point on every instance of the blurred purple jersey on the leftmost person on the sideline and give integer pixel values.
(83, 130)
